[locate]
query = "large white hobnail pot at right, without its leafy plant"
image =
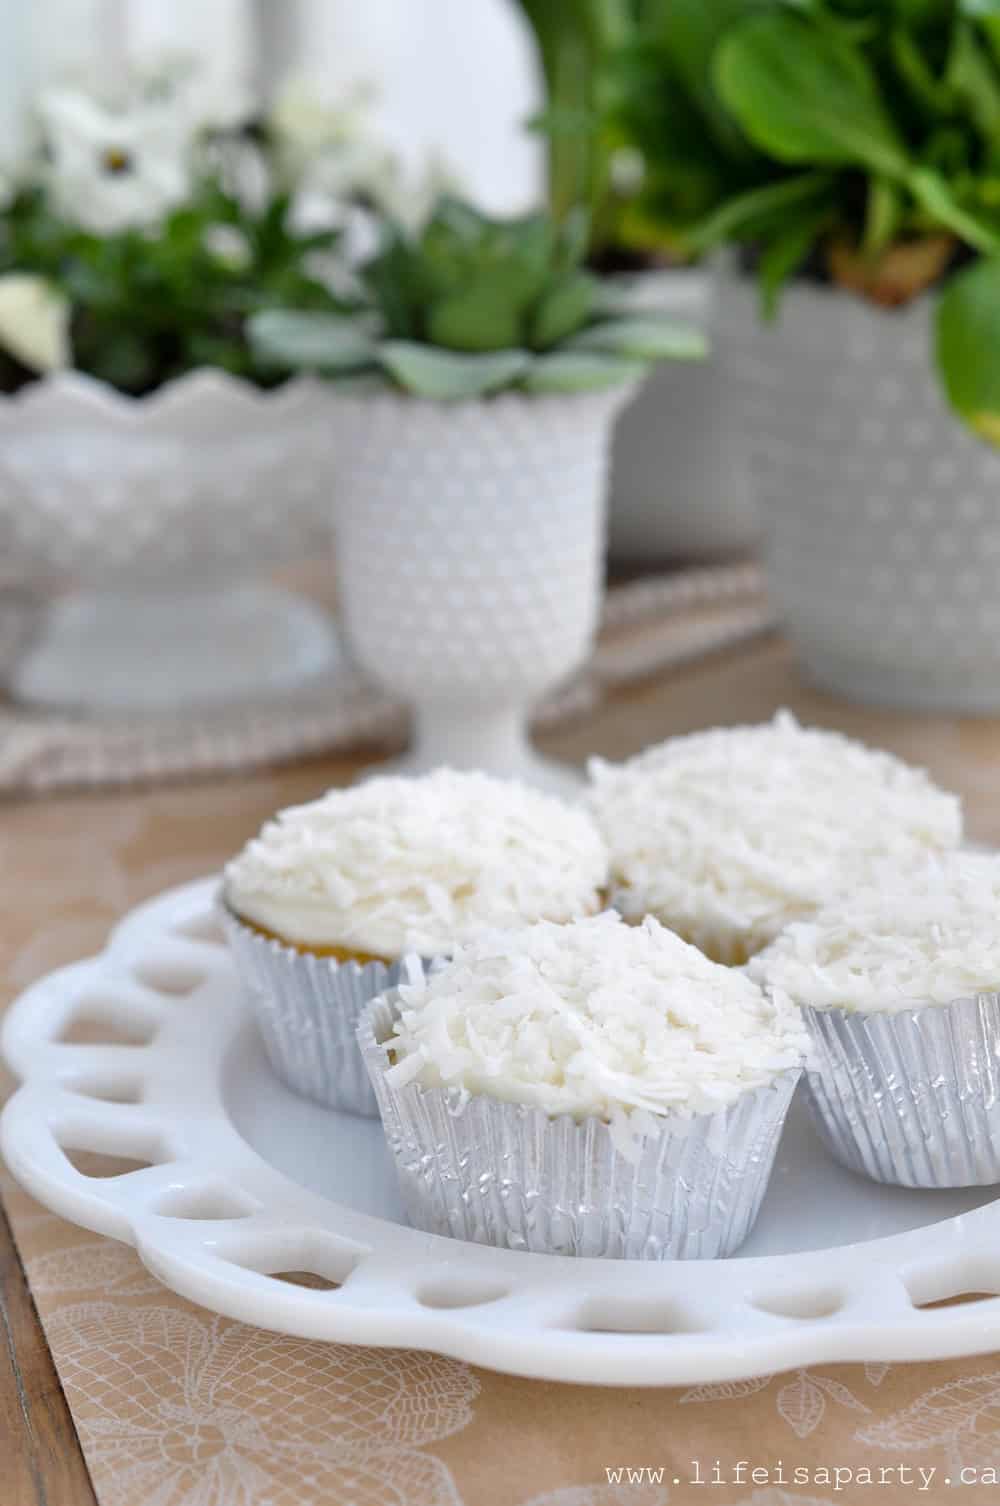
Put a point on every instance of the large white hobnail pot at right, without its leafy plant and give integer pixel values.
(882, 511)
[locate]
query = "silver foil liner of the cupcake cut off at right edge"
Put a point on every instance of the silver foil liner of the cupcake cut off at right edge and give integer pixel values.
(910, 1097)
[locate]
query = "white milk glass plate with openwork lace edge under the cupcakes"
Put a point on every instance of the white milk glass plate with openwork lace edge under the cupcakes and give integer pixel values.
(147, 1052)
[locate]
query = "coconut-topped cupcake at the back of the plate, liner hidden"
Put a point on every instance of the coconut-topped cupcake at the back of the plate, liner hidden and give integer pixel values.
(731, 835)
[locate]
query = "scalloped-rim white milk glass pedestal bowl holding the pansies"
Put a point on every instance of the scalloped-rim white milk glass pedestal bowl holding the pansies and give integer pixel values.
(156, 516)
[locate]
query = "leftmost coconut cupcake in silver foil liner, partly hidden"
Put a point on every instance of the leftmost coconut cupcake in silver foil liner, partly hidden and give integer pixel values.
(340, 900)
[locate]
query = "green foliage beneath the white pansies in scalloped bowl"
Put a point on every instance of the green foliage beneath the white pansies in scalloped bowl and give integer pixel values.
(148, 305)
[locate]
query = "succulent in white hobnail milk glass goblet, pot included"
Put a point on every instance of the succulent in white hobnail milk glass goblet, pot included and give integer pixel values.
(475, 395)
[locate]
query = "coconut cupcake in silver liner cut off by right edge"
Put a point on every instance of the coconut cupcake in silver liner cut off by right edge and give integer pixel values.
(900, 992)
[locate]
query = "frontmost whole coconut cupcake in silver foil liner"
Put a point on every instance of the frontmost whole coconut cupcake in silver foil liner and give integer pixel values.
(591, 1090)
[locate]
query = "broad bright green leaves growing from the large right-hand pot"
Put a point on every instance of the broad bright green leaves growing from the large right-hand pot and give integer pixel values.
(829, 135)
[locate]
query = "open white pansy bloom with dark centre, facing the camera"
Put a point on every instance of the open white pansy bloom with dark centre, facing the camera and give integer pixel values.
(114, 171)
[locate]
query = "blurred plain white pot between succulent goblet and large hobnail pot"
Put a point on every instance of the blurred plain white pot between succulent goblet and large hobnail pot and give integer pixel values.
(680, 484)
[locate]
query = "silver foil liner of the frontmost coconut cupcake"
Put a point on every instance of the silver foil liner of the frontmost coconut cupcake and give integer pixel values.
(510, 1175)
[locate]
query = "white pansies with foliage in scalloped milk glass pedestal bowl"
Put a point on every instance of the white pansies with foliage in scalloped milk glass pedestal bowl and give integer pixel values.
(148, 459)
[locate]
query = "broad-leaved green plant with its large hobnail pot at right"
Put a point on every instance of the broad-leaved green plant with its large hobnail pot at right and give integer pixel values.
(856, 165)
